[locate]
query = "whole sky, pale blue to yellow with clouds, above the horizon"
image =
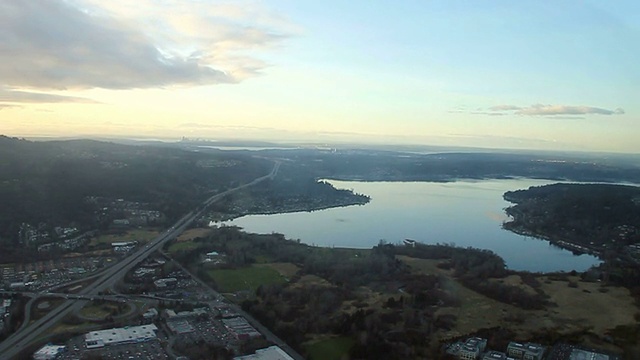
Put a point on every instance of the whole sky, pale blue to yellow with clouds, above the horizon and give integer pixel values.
(552, 75)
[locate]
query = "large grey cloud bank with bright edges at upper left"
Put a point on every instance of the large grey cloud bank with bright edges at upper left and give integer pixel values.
(118, 44)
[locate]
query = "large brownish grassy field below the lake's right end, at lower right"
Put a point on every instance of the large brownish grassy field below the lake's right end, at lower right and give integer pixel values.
(578, 308)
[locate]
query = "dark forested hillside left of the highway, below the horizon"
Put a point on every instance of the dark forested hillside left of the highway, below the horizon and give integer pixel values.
(49, 184)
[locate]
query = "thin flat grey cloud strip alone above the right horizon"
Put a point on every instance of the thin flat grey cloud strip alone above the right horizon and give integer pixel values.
(556, 111)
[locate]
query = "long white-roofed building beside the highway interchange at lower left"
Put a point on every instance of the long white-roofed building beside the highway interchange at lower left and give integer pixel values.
(117, 336)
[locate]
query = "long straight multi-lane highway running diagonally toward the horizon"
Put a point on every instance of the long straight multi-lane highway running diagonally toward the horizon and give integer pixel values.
(11, 346)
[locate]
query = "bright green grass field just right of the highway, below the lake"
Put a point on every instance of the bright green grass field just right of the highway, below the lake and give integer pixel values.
(248, 278)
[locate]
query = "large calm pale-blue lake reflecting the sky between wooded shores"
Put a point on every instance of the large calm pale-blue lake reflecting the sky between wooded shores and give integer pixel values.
(464, 213)
